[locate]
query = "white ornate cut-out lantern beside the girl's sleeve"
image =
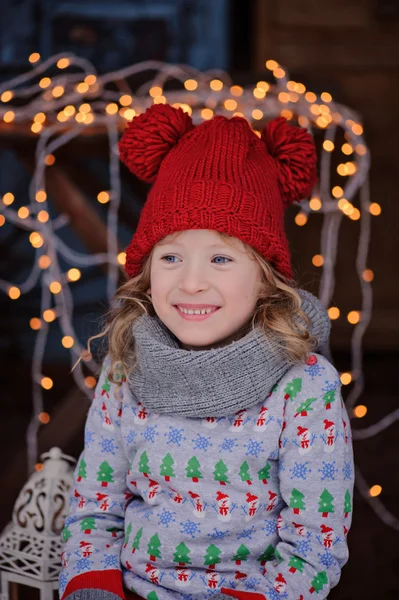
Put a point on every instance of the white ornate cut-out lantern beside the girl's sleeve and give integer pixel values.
(30, 545)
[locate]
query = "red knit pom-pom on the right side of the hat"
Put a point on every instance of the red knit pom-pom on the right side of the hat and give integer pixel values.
(294, 152)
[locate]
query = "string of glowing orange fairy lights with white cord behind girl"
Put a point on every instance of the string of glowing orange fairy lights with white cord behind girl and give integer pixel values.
(62, 106)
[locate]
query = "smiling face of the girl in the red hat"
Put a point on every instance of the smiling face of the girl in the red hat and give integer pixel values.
(198, 270)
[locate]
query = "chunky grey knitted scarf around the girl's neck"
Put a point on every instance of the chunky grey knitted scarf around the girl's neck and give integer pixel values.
(214, 382)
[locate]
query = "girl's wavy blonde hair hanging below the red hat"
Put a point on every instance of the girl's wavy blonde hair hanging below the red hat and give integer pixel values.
(278, 308)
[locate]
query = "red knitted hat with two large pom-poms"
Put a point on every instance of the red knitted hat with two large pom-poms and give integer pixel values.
(218, 175)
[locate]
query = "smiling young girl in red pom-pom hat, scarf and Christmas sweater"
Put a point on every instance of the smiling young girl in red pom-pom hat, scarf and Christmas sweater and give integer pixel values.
(218, 459)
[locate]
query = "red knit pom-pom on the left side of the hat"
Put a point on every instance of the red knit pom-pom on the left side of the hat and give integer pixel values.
(149, 137)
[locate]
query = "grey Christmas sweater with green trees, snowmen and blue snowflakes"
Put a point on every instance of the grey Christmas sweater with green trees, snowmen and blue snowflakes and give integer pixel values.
(255, 506)
